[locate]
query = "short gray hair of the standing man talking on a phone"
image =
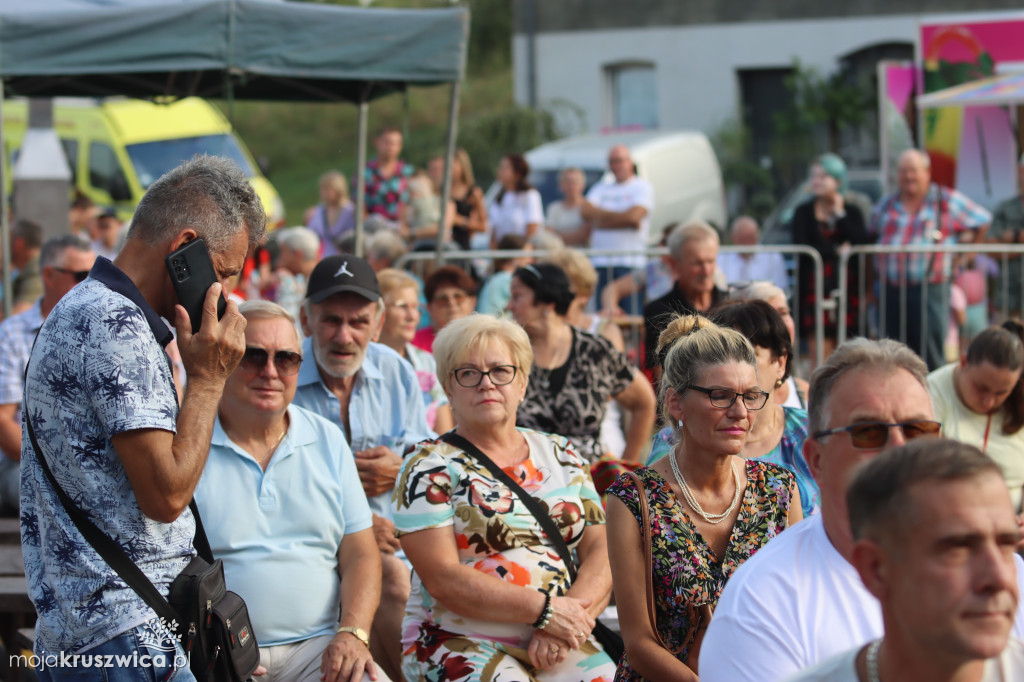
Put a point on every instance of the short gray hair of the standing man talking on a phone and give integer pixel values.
(209, 194)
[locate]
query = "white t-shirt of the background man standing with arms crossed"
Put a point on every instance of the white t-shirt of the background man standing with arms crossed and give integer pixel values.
(621, 197)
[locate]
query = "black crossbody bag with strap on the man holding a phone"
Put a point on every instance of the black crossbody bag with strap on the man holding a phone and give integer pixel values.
(211, 622)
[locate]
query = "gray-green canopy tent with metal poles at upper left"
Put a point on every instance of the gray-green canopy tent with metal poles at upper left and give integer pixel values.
(250, 50)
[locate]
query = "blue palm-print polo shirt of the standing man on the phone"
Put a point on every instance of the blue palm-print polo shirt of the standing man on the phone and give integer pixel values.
(99, 369)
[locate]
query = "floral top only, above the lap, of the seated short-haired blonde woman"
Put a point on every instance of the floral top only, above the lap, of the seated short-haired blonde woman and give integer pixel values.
(441, 486)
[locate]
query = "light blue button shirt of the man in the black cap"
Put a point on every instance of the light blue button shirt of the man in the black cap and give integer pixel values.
(386, 409)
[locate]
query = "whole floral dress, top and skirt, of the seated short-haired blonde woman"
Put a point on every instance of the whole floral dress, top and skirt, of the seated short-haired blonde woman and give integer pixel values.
(441, 486)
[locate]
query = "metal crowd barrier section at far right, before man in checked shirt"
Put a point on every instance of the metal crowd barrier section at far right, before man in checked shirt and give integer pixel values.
(872, 317)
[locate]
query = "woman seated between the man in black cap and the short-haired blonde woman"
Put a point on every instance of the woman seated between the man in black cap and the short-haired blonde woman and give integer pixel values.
(402, 317)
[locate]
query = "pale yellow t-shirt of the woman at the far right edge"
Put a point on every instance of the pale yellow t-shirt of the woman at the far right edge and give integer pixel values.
(963, 424)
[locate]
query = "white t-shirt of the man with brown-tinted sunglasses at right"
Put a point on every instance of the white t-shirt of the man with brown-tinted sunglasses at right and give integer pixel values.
(793, 605)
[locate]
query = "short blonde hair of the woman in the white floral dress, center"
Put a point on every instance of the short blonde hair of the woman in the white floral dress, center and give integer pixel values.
(460, 337)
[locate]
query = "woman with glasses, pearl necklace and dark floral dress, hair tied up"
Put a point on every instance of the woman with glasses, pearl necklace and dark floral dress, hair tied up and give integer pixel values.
(710, 509)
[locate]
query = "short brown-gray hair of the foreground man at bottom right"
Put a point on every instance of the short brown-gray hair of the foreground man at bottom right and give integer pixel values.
(879, 499)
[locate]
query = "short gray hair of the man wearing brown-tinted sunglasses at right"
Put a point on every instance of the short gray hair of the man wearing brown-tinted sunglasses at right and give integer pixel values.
(860, 354)
